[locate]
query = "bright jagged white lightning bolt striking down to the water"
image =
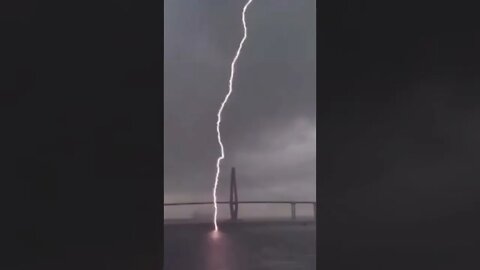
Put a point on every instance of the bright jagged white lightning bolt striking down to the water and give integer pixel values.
(219, 114)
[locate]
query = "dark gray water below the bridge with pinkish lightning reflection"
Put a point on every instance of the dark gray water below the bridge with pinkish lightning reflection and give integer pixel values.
(240, 247)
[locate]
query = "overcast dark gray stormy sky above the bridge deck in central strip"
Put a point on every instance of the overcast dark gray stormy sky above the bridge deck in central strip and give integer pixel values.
(268, 126)
